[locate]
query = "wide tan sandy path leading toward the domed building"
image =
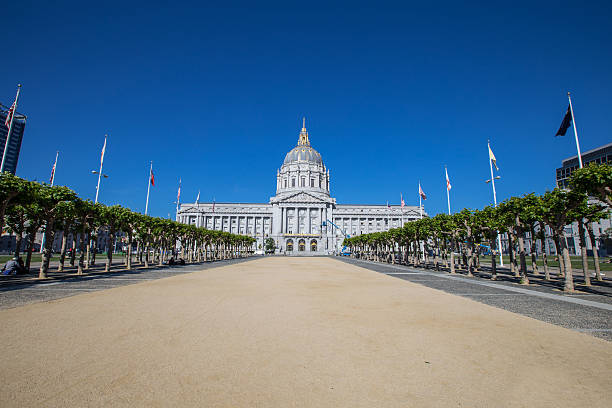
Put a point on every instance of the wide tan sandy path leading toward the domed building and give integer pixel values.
(278, 332)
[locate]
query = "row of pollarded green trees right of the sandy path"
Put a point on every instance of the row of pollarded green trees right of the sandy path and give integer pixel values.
(463, 233)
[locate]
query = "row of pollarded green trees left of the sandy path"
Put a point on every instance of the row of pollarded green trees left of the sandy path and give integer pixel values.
(27, 207)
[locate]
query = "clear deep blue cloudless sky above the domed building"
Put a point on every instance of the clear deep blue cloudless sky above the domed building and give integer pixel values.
(392, 91)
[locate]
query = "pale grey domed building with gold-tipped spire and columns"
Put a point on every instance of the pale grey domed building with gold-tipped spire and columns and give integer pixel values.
(302, 218)
